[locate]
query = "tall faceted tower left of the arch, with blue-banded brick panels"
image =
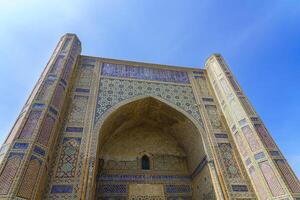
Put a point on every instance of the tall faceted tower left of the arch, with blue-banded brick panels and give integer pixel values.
(23, 172)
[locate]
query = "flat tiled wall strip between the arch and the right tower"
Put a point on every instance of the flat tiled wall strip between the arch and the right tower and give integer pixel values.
(232, 175)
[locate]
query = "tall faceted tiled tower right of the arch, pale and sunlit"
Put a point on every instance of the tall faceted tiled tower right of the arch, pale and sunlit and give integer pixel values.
(257, 149)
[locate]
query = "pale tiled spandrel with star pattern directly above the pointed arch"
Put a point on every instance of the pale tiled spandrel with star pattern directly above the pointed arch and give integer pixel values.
(113, 91)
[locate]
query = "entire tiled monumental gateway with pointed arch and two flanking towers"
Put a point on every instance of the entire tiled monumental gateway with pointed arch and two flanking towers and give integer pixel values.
(98, 128)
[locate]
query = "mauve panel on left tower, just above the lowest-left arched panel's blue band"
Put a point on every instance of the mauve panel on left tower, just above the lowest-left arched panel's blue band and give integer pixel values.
(30, 125)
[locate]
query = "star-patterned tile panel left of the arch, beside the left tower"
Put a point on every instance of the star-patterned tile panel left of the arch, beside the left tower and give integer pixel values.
(68, 158)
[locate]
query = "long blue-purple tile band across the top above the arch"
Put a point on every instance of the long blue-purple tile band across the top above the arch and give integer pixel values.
(145, 73)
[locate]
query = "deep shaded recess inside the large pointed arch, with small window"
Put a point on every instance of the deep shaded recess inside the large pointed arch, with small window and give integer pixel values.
(151, 150)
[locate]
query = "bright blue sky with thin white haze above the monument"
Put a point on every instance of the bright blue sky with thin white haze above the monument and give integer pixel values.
(259, 40)
